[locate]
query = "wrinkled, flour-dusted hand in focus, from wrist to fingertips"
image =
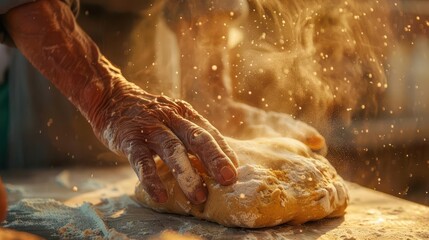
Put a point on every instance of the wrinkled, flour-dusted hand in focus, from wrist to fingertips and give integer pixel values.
(139, 125)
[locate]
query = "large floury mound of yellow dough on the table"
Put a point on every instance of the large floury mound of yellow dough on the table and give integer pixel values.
(279, 180)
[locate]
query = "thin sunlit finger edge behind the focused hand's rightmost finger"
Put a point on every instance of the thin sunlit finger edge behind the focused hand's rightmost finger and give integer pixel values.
(200, 121)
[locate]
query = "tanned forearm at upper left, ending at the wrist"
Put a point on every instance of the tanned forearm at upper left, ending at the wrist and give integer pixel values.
(47, 34)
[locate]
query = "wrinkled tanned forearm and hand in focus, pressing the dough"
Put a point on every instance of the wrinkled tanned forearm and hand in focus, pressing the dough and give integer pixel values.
(127, 119)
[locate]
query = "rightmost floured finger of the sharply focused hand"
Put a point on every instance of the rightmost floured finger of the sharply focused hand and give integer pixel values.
(202, 144)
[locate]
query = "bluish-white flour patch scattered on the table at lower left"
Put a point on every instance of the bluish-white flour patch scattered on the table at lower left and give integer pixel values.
(81, 222)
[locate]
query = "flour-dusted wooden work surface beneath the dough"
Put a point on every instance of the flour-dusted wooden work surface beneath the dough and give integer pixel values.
(98, 202)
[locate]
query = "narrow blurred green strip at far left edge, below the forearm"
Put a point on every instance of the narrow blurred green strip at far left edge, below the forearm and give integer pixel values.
(4, 122)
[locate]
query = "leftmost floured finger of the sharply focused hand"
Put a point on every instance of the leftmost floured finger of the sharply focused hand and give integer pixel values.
(141, 160)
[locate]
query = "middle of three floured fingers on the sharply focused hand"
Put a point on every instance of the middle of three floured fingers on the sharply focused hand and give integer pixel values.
(171, 150)
